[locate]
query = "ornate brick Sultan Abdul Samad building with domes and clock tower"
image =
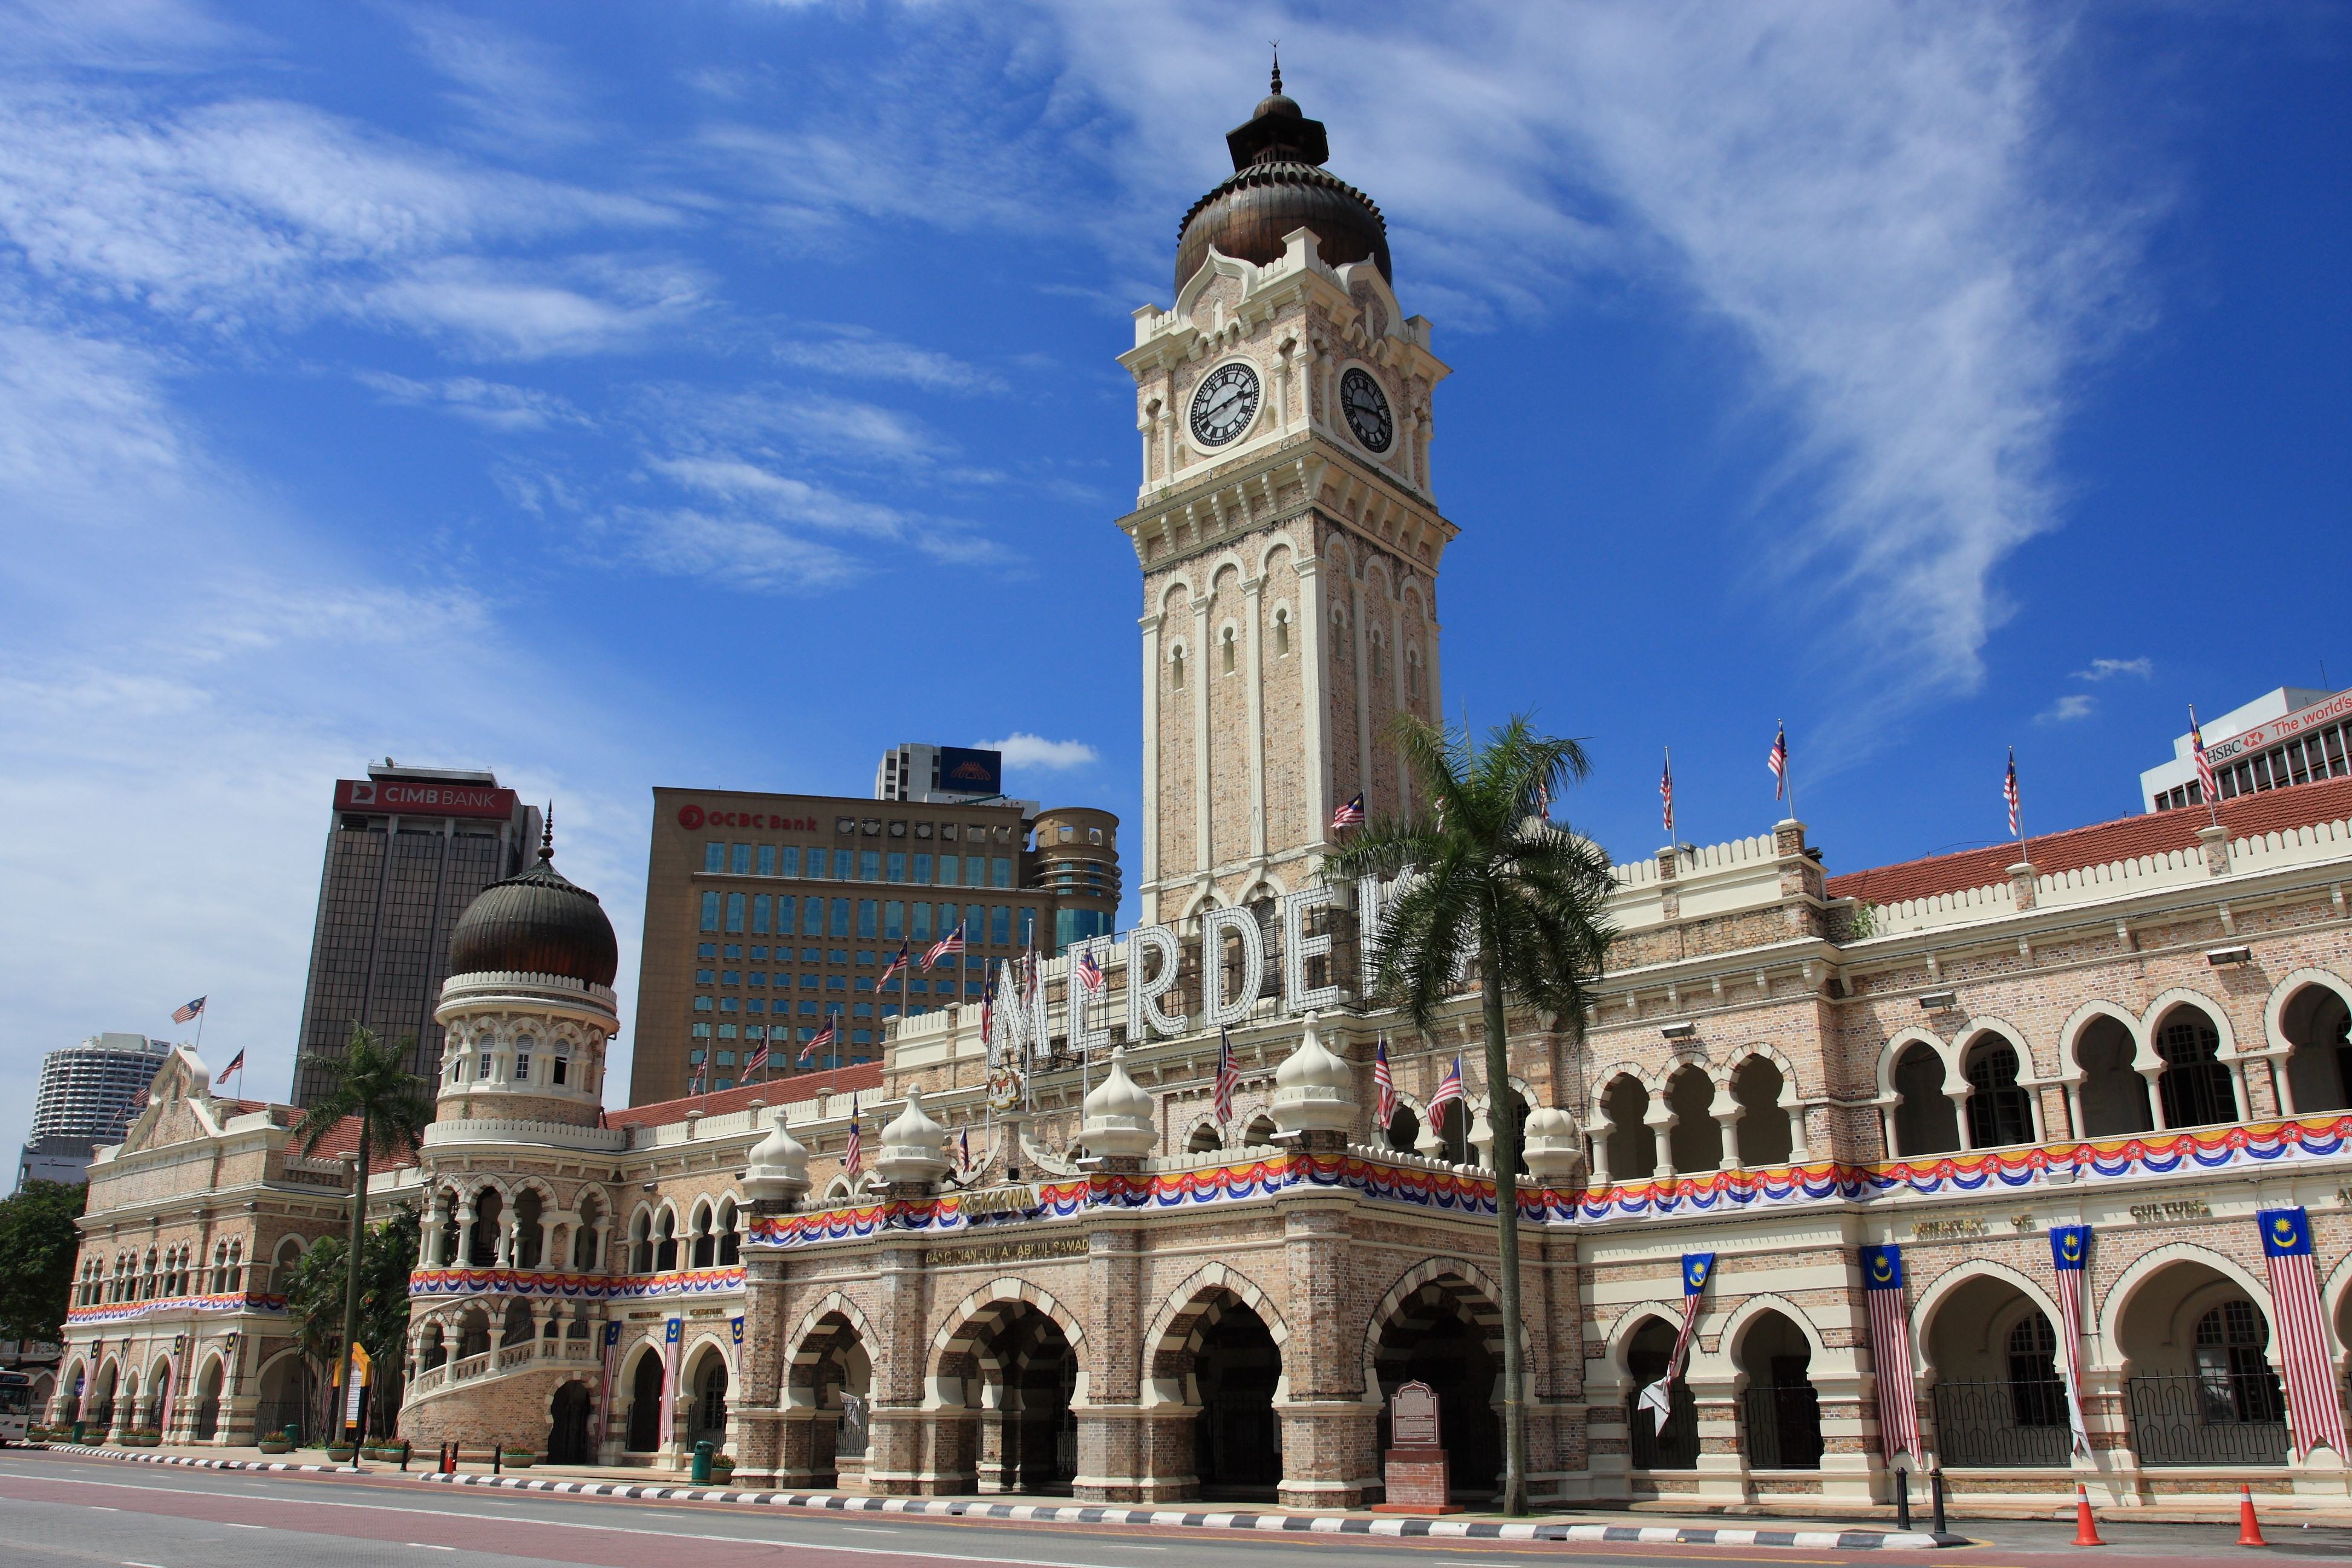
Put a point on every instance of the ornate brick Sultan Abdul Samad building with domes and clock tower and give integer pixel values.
(1920, 1087)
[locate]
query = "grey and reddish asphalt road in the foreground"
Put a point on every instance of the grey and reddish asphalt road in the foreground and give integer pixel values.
(67, 1513)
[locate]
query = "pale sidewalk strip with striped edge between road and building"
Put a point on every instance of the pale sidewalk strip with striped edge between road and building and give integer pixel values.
(603, 1482)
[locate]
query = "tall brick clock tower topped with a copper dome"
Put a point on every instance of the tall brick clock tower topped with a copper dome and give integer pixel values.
(1285, 525)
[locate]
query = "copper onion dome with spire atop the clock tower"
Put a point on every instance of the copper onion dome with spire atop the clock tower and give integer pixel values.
(1278, 185)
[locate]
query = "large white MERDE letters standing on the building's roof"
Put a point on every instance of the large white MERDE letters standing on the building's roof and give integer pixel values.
(1024, 1026)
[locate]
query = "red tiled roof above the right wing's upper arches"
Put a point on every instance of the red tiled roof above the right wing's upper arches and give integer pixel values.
(2123, 840)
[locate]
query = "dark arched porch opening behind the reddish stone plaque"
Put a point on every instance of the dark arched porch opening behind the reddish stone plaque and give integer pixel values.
(1448, 1336)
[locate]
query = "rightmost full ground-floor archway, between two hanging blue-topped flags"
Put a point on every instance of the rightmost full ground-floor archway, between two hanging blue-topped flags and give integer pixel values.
(2200, 1388)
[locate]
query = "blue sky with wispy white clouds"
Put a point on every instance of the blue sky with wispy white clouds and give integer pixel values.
(716, 394)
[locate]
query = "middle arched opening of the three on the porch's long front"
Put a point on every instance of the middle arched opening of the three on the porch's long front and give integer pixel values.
(1020, 1372)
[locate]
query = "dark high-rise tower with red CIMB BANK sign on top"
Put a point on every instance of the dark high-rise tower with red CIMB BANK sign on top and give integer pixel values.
(408, 850)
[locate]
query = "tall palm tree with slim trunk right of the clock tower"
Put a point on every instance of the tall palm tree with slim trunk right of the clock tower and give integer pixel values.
(1504, 894)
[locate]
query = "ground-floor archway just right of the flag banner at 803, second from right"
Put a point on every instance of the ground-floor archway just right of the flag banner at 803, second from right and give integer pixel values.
(1998, 1393)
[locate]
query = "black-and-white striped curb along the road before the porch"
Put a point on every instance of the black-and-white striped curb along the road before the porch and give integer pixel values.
(1307, 1525)
